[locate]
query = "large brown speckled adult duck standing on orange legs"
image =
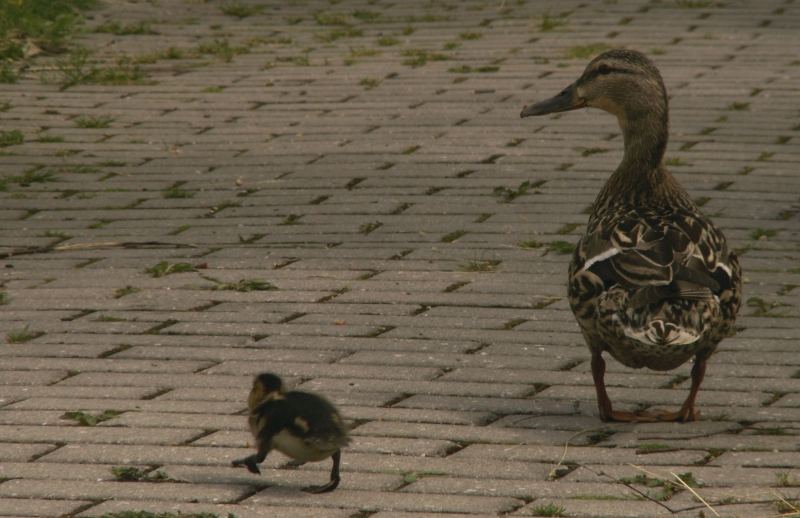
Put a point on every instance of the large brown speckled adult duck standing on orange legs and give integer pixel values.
(652, 281)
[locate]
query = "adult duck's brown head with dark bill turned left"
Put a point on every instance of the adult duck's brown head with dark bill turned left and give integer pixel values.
(622, 82)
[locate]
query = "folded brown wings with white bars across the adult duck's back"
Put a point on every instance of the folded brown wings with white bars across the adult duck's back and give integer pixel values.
(678, 256)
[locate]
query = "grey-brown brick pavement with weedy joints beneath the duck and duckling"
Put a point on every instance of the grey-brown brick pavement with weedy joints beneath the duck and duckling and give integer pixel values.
(366, 159)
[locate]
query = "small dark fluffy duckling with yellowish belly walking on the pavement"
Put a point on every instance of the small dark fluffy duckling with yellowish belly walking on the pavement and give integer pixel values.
(303, 426)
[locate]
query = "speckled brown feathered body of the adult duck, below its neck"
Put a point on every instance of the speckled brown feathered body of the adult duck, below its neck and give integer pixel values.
(656, 285)
